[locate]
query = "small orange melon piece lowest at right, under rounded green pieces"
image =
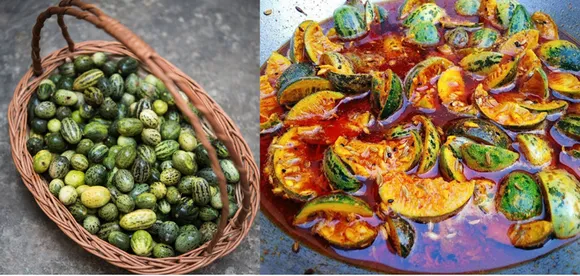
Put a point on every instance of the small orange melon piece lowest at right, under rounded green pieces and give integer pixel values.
(531, 234)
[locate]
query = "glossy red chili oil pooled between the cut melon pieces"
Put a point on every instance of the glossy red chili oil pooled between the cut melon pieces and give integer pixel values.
(466, 242)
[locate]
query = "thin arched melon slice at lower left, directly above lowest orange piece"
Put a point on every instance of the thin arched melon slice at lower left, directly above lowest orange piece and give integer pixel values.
(338, 203)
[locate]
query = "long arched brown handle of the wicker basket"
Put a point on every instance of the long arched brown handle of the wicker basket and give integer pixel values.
(149, 57)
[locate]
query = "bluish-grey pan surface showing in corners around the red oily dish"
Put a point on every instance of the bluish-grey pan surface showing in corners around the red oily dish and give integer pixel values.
(276, 247)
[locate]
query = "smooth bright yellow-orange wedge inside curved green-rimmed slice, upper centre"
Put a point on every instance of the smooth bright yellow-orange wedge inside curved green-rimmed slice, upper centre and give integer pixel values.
(451, 90)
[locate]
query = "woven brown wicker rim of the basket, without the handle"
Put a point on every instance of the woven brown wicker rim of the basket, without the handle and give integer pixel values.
(37, 185)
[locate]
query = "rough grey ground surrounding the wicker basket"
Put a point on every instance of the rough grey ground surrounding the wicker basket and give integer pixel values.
(214, 42)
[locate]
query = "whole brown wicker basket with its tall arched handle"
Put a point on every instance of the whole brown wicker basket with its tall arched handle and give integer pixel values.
(216, 123)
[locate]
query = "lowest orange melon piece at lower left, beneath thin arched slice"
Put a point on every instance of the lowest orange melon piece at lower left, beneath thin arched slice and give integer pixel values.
(355, 234)
